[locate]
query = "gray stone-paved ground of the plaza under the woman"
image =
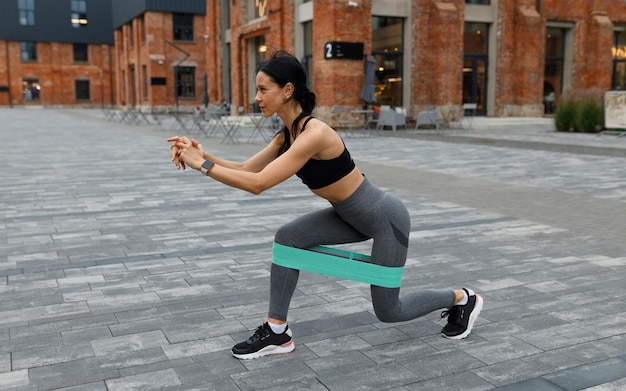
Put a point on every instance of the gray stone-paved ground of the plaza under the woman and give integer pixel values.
(118, 272)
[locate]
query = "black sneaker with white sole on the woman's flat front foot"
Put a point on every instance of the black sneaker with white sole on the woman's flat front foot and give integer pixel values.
(263, 342)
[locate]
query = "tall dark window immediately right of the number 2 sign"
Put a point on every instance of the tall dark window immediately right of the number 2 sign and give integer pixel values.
(387, 44)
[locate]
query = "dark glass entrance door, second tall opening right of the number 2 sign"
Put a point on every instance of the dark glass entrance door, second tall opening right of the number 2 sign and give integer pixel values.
(475, 82)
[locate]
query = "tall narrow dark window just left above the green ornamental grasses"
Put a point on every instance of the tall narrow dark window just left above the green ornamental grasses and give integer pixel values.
(554, 60)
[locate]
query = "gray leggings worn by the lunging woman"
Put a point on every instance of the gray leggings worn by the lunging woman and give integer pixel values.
(369, 213)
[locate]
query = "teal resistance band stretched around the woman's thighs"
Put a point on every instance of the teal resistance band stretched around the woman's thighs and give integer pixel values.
(337, 263)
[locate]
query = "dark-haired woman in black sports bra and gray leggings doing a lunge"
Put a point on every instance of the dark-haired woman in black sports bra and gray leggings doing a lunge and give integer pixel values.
(312, 150)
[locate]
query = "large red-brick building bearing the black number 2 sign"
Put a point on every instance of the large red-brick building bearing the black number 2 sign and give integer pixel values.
(506, 56)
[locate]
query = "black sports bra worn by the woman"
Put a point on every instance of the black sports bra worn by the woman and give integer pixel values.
(318, 173)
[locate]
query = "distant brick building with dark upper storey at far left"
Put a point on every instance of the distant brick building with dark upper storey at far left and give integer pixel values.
(56, 52)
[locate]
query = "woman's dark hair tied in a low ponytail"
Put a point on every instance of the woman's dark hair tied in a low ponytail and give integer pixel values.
(284, 68)
